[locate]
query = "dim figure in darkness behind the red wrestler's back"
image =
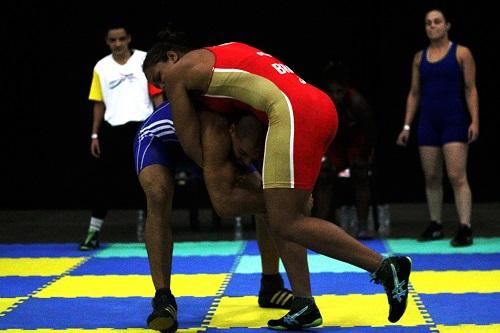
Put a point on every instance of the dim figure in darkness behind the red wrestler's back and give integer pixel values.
(352, 149)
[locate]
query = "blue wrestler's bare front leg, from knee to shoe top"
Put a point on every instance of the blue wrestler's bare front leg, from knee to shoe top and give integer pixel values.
(158, 185)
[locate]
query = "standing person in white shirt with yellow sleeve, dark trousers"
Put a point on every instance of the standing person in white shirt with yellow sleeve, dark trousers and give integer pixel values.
(122, 101)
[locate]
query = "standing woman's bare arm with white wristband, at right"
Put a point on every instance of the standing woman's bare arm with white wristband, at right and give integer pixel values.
(412, 100)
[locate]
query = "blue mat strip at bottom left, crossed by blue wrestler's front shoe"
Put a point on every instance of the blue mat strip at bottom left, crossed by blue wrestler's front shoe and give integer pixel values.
(102, 312)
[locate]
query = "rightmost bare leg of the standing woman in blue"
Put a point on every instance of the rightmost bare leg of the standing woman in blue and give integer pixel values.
(455, 154)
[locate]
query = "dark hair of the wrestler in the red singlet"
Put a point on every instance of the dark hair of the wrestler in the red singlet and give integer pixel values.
(166, 40)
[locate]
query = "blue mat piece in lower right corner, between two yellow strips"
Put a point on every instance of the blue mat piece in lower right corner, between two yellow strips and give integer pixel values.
(456, 309)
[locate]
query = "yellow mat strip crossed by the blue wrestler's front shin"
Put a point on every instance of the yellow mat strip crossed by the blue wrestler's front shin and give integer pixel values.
(131, 286)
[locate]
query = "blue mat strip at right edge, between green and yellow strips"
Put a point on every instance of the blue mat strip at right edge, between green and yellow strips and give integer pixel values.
(455, 262)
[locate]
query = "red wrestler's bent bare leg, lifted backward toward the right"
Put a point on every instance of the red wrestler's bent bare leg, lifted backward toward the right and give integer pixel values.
(285, 210)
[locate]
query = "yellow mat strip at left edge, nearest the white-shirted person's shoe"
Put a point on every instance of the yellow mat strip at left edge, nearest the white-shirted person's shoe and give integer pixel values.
(37, 266)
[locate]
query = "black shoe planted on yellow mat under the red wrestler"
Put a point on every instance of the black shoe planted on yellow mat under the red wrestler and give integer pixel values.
(304, 314)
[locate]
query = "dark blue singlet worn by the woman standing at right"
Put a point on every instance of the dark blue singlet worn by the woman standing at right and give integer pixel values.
(443, 116)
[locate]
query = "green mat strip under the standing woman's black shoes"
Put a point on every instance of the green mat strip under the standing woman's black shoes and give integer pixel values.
(481, 245)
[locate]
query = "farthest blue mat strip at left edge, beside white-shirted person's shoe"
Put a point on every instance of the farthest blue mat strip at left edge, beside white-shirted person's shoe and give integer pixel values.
(41, 250)
